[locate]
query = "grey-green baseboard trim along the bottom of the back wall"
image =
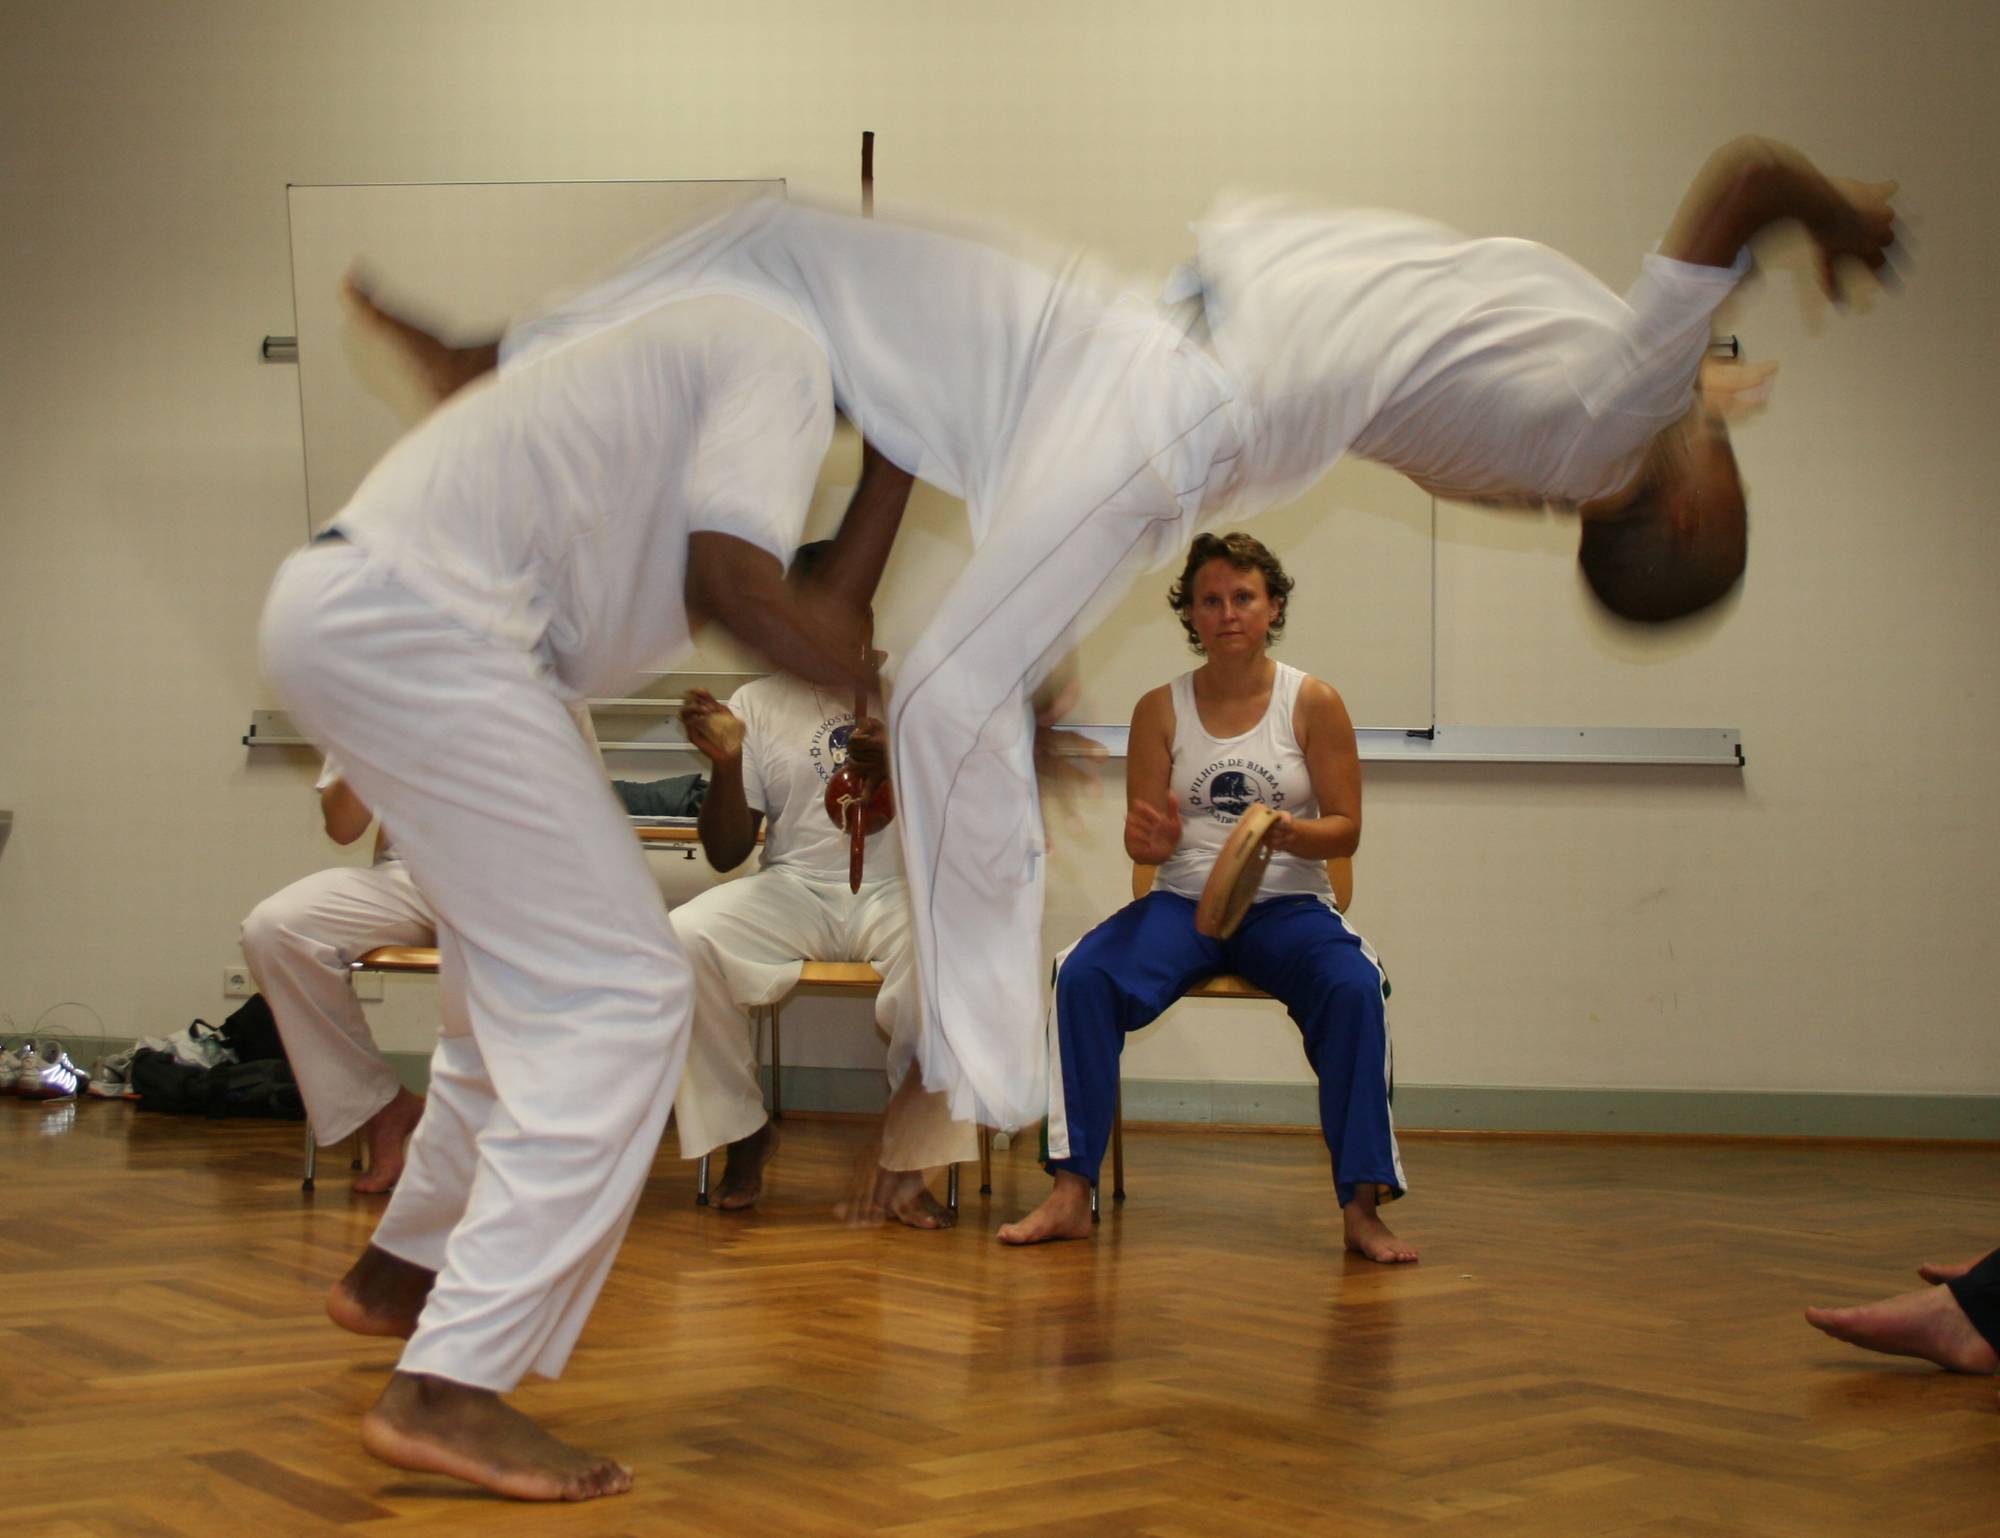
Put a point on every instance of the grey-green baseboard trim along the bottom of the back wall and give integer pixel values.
(1477, 1107)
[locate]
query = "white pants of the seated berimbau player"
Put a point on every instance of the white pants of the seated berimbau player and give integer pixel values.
(747, 943)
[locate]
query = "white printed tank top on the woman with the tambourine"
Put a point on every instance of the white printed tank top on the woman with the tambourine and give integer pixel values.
(1215, 781)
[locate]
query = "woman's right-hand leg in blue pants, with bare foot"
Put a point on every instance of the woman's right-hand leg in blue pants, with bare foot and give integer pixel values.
(1307, 957)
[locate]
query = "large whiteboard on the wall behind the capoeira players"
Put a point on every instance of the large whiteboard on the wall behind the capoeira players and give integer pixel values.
(471, 255)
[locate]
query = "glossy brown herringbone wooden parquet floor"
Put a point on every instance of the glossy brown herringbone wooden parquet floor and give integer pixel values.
(1603, 1339)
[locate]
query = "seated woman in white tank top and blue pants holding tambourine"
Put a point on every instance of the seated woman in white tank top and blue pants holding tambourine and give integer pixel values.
(1241, 743)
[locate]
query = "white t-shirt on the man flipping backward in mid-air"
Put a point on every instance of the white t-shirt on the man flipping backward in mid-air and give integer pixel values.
(1487, 369)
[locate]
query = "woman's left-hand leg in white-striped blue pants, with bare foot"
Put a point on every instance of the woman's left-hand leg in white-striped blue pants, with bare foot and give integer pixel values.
(1115, 981)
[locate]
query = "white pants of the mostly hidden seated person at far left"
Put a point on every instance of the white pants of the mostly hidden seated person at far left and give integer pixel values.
(299, 945)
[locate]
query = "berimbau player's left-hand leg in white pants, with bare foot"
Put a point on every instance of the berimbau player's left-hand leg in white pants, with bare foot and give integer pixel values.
(745, 943)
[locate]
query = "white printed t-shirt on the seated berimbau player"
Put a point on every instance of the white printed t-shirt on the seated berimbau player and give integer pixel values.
(795, 741)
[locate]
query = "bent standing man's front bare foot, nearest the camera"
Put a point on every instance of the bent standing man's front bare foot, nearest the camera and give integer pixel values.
(473, 1435)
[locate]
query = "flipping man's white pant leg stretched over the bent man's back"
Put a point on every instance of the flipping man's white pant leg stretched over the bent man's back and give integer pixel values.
(933, 339)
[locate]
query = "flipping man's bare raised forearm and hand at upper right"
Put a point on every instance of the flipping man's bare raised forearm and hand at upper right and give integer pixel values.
(1755, 183)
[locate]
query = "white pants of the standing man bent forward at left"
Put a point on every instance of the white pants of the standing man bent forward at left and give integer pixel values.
(565, 995)
